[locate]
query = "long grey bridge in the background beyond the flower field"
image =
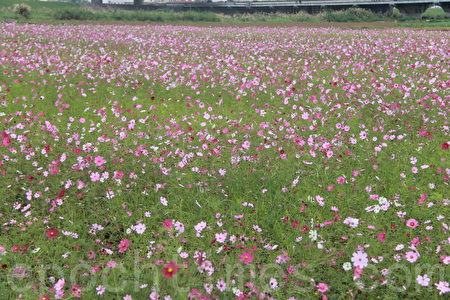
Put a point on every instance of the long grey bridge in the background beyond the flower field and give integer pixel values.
(406, 7)
